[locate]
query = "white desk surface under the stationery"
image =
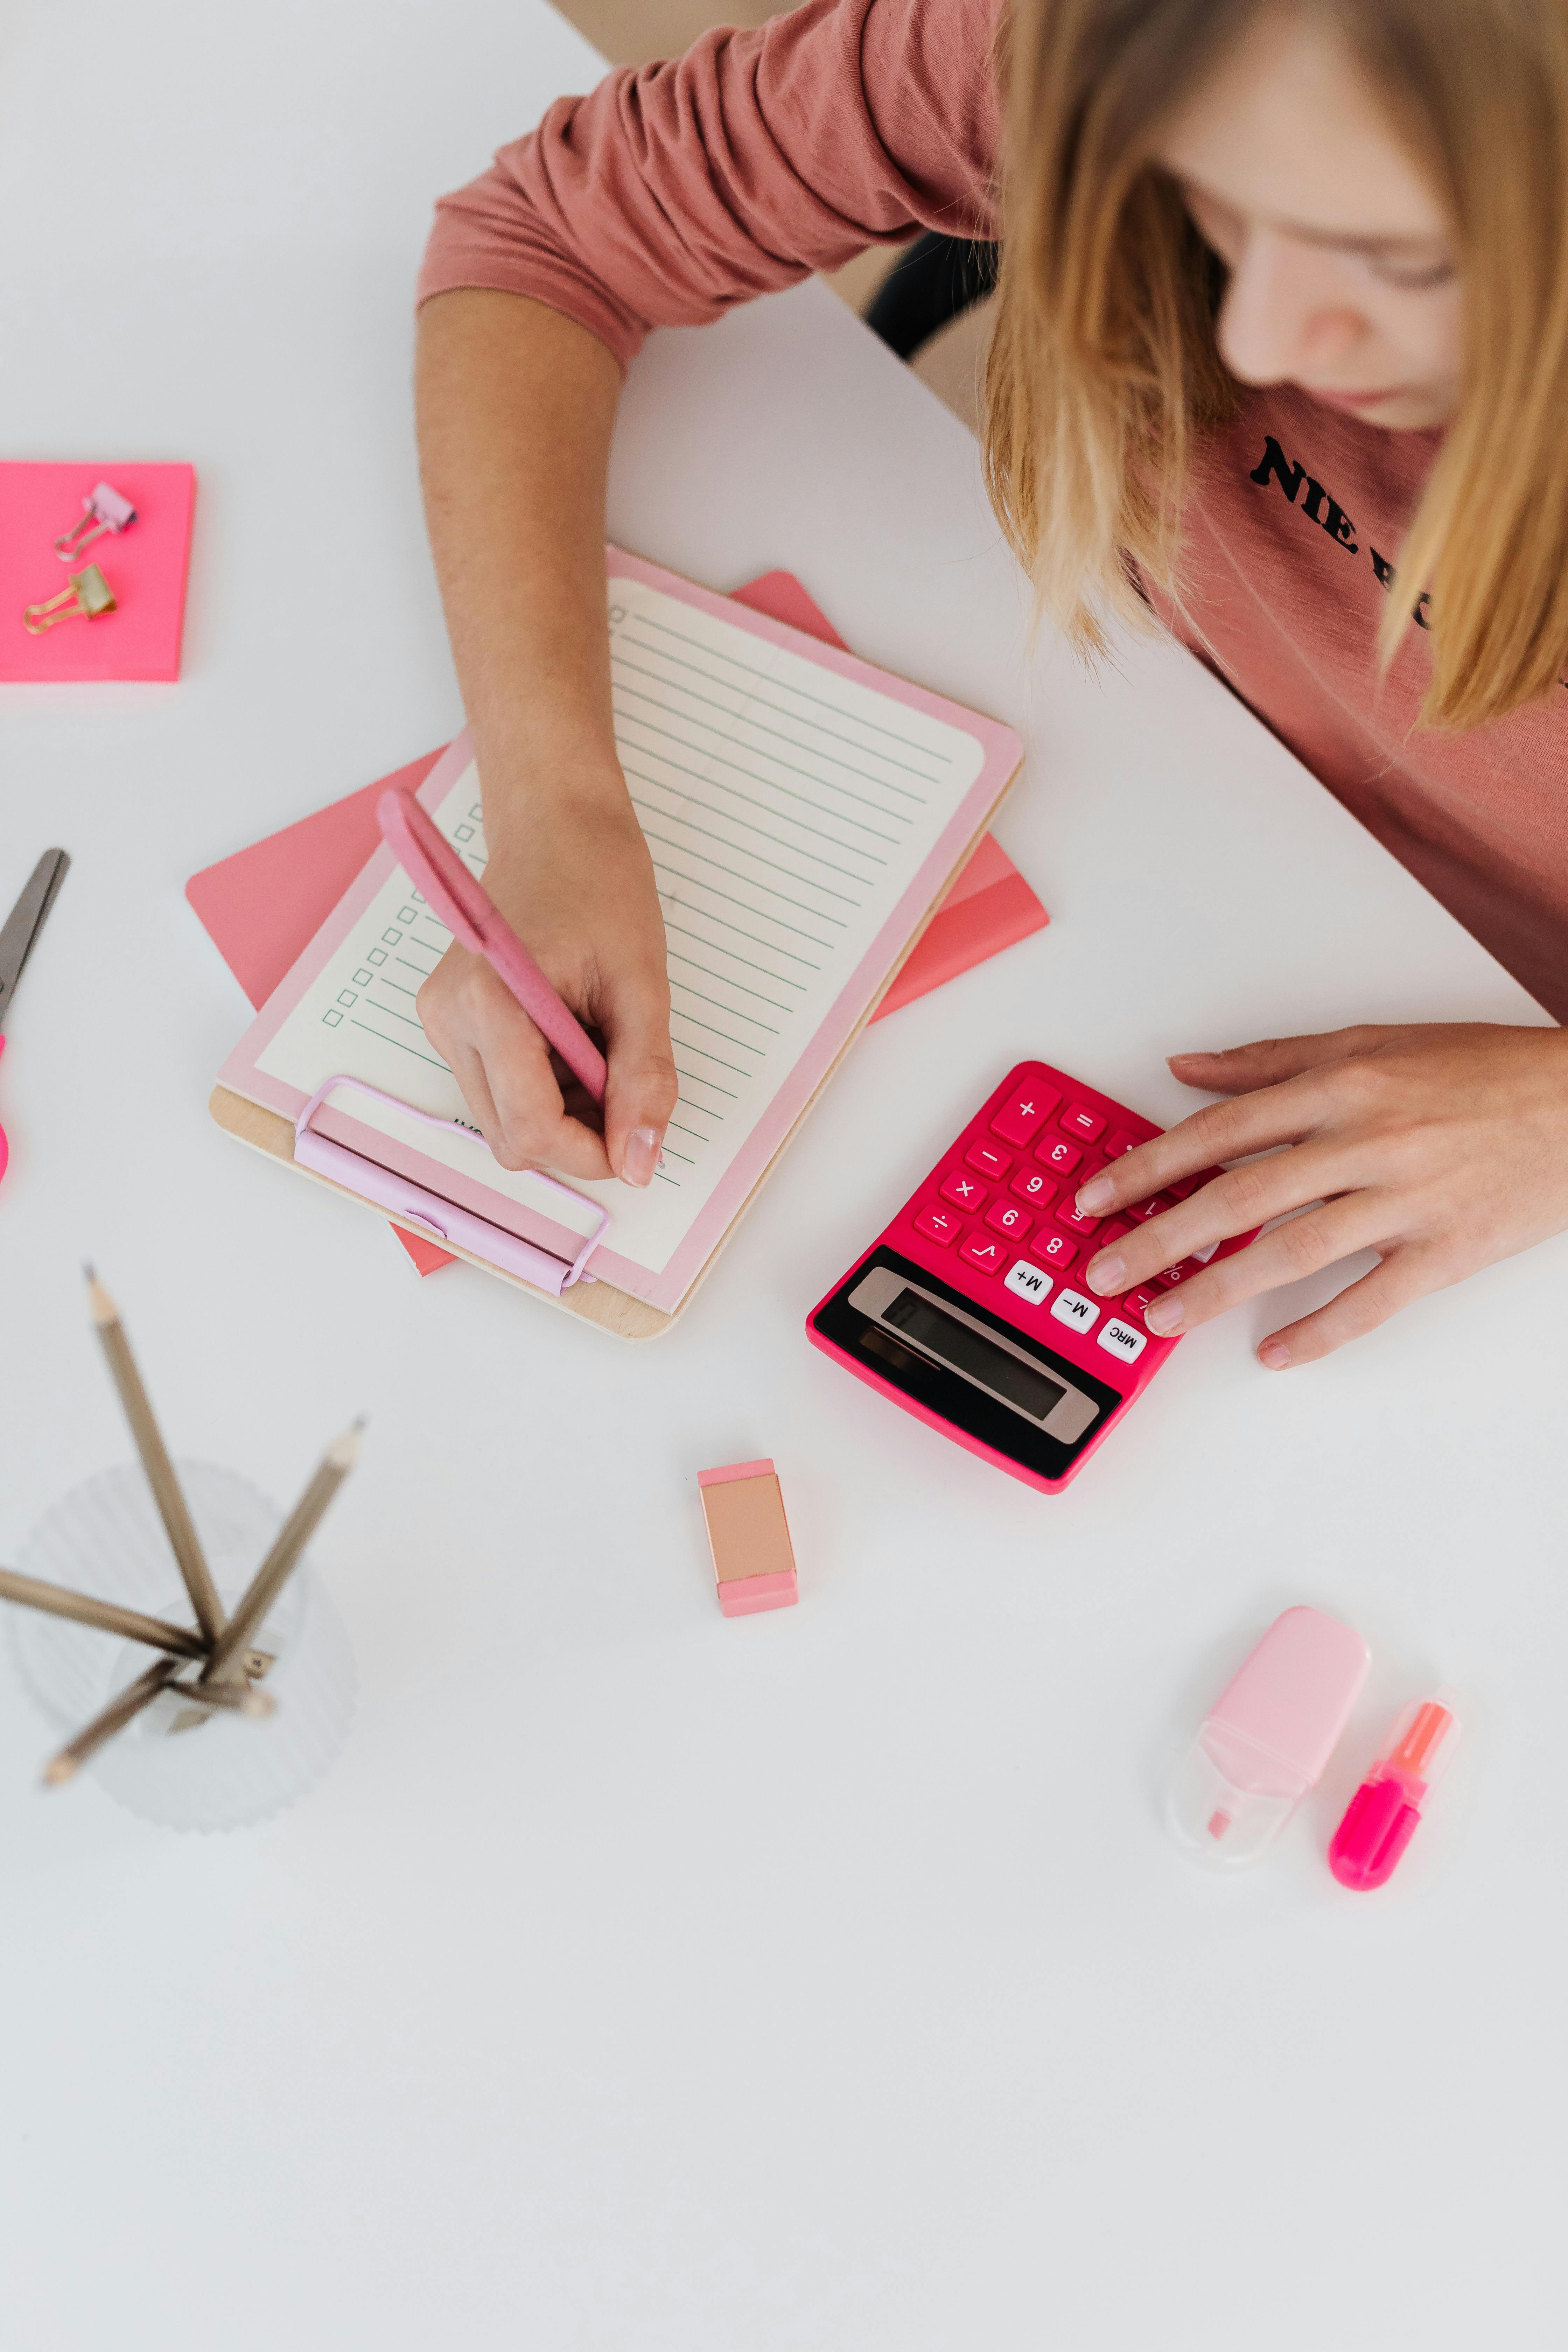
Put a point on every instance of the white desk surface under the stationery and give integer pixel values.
(645, 1979)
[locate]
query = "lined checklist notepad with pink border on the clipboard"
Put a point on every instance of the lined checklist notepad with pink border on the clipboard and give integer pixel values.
(803, 813)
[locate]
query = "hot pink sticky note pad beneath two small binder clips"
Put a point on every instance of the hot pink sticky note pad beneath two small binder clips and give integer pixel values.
(145, 566)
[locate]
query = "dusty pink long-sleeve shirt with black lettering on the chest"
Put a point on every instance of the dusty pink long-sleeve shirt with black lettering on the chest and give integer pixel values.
(671, 194)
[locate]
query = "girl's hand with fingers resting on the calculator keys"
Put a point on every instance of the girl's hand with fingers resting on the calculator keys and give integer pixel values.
(1442, 1149)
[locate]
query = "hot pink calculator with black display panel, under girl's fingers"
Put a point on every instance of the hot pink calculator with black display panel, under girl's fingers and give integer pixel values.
(970, 1314)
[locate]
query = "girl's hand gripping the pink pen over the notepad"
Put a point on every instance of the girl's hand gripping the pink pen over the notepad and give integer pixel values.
(579, 893)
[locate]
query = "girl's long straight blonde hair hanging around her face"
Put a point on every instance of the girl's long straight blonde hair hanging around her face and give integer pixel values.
(1104, 370)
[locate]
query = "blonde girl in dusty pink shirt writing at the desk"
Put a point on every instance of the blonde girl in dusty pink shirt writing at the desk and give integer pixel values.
(1280, 359)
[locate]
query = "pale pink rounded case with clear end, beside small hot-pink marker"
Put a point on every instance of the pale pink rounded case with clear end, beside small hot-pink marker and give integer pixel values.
(1268, 1739)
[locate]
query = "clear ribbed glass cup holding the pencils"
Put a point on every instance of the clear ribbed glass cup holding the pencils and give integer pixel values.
(177, 1765)
